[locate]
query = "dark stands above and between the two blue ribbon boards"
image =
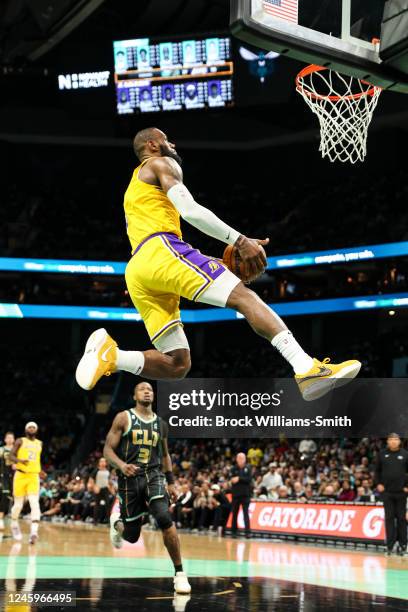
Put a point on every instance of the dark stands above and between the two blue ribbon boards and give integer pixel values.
(74, 211)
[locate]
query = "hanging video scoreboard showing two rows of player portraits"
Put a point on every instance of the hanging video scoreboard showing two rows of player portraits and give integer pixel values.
(168, 76)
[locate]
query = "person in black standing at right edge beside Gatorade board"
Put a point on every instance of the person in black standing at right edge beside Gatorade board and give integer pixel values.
(391, 477)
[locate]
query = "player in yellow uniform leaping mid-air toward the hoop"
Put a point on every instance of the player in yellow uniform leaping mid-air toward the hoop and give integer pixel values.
(163, 268)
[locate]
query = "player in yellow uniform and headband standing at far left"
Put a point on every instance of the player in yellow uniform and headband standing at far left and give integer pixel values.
(26, 454)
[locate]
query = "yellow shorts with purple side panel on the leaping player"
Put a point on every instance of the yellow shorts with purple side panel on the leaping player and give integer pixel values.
(162, 269)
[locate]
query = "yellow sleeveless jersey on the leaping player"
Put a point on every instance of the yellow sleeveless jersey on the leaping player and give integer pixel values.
(148, 211)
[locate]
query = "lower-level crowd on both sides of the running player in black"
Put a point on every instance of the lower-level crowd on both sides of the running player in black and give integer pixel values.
(326, 470)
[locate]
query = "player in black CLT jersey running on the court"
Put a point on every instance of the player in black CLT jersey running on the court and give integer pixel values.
(137, 446)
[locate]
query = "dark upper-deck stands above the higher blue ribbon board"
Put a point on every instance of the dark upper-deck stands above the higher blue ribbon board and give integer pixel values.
(72, 208)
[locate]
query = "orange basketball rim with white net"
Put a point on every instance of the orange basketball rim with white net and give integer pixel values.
(344, 106)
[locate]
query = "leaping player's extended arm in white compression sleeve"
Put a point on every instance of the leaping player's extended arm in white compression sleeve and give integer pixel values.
(169, 174)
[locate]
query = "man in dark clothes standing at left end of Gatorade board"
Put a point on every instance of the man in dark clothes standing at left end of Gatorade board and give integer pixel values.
(241, 486)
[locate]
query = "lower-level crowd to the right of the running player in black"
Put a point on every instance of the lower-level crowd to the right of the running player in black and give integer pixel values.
(282, 470)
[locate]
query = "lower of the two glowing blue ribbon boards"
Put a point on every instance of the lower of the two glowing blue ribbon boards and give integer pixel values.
(205, 315)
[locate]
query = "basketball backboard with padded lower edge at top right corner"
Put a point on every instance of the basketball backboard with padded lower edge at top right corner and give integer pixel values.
(342, 35)
